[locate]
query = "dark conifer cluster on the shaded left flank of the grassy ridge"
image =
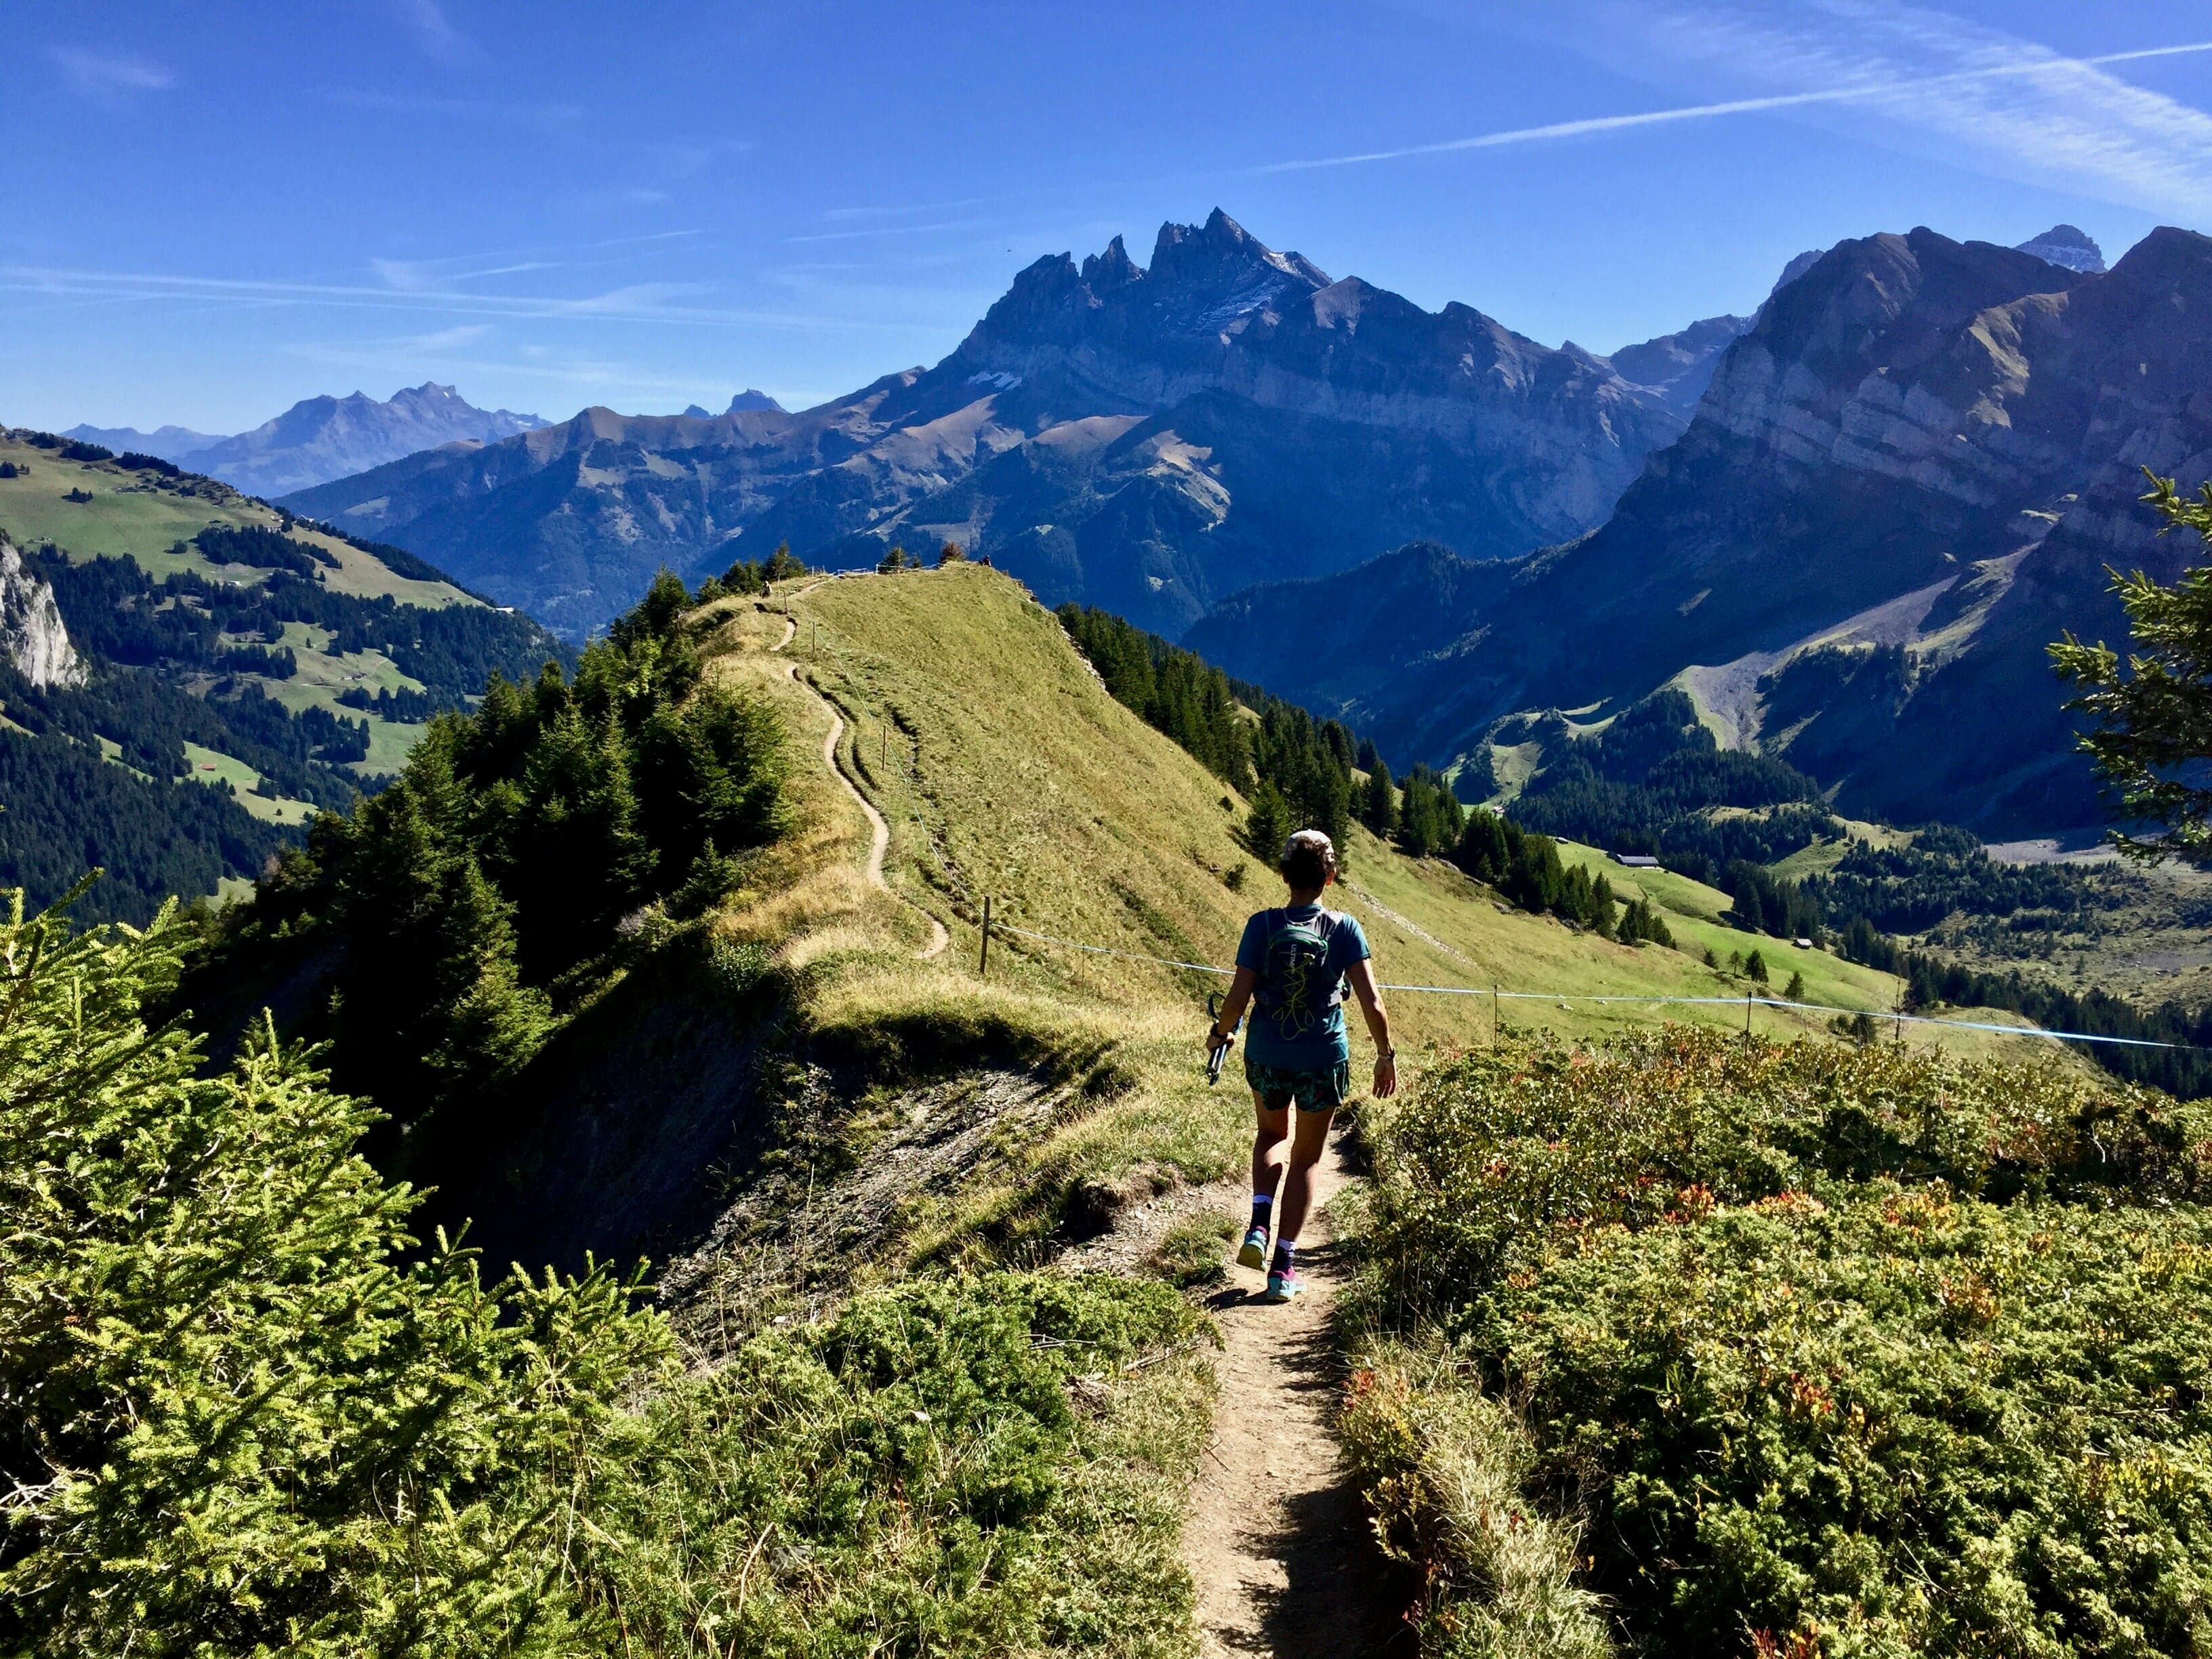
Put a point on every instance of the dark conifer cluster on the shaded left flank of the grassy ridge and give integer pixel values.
(472, 906)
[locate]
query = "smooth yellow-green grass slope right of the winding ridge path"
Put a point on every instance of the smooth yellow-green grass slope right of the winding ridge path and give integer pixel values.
(1008, 771)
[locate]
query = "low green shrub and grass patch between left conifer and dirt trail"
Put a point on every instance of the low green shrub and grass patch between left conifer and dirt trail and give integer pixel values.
(943, 1468)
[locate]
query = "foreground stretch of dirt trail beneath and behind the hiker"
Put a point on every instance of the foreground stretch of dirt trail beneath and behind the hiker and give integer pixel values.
(1277, 1538)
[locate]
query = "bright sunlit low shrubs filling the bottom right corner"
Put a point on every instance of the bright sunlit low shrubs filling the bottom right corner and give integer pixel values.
(1903, 1426)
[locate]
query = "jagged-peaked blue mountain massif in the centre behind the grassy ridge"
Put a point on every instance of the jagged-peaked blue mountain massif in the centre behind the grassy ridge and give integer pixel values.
(1140, 437)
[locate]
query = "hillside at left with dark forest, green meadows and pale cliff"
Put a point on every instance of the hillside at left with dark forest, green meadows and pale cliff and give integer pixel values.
(240, 671)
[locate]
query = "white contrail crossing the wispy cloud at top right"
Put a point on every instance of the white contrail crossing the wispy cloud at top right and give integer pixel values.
(1985, 94)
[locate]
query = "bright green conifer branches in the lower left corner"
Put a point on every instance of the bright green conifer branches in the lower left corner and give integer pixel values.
(242, 1410)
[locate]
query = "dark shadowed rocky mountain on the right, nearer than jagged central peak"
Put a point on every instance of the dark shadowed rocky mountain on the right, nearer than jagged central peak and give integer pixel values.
(1901, 486)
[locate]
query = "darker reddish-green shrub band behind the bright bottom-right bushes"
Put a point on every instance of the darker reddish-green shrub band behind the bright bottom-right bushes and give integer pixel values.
(1507, 1149)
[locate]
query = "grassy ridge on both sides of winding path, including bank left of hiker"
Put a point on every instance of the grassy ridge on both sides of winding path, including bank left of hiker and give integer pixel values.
(1005, 769)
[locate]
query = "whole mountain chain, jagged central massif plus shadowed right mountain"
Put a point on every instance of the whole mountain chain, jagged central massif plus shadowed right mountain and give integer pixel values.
(1846, 525)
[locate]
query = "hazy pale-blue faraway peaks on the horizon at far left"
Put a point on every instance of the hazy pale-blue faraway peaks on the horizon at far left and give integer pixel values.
(322, 439)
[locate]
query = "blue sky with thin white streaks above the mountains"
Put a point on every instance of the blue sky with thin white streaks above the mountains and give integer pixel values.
(220, 209)
